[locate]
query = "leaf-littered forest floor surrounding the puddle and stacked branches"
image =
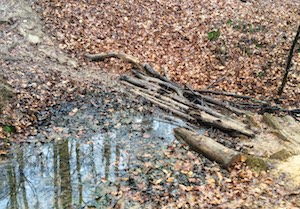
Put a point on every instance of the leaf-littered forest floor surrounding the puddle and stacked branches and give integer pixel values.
(241, 46)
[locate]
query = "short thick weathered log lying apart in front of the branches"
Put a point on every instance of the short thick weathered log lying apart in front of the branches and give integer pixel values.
(209, 148)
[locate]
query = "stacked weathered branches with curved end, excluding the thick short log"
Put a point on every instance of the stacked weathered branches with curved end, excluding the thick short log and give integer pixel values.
(170, 96)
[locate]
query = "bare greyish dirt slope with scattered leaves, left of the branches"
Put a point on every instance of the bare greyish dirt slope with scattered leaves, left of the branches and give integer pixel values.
(40, 74)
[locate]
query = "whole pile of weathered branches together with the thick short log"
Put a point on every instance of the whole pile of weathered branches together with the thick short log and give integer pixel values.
(194, 106)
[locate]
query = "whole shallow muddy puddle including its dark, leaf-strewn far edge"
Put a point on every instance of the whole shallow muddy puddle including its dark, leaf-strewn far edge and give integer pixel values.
(77, 149)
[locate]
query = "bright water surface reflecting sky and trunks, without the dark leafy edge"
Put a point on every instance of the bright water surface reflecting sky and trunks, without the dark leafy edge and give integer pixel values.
(66, 173)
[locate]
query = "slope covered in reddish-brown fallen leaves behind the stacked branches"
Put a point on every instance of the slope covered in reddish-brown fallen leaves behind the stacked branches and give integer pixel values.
(238, 46)
